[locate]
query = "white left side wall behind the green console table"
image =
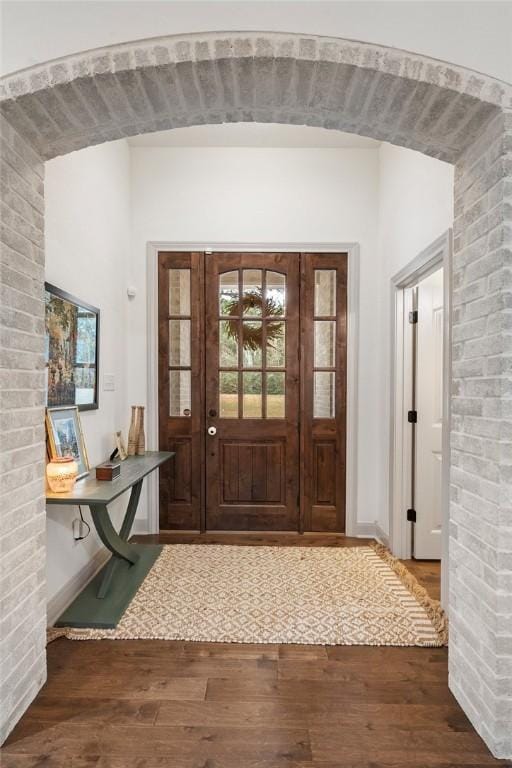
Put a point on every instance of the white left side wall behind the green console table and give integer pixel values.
(87, 244)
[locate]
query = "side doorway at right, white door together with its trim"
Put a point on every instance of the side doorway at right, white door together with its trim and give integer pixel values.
(420, 406)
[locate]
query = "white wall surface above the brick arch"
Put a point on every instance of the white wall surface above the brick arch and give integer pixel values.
(473, 34)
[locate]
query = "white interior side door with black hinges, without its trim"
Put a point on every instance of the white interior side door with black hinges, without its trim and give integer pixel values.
(429, 428)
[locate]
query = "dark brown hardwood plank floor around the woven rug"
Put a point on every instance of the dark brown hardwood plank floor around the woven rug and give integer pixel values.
(155, 704)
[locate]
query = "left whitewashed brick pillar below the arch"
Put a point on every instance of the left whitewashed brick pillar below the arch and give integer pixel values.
(22, 516)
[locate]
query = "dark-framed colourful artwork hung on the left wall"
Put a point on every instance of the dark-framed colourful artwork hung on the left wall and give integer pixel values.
(72, 330)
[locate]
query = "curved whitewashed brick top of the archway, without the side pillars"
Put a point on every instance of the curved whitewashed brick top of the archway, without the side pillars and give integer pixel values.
(171, 82)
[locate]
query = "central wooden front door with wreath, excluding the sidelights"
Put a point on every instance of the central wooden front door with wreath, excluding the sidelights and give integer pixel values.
(252, 391)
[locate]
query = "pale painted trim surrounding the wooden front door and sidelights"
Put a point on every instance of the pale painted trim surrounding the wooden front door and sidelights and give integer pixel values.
(151, 500)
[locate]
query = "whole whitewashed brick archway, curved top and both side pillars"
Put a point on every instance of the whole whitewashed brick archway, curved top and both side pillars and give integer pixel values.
(439, 109)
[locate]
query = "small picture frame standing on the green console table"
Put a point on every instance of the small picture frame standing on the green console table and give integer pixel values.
(65, 436)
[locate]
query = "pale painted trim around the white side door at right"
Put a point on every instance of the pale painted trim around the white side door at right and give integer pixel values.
(437, 254)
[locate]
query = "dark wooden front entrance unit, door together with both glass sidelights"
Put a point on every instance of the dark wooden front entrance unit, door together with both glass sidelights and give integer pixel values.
(252, 371)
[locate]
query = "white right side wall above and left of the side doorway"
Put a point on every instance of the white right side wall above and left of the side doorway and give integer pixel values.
(415, 207)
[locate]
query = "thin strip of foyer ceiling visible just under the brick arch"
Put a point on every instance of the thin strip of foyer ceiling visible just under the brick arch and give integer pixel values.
(253, 135)
